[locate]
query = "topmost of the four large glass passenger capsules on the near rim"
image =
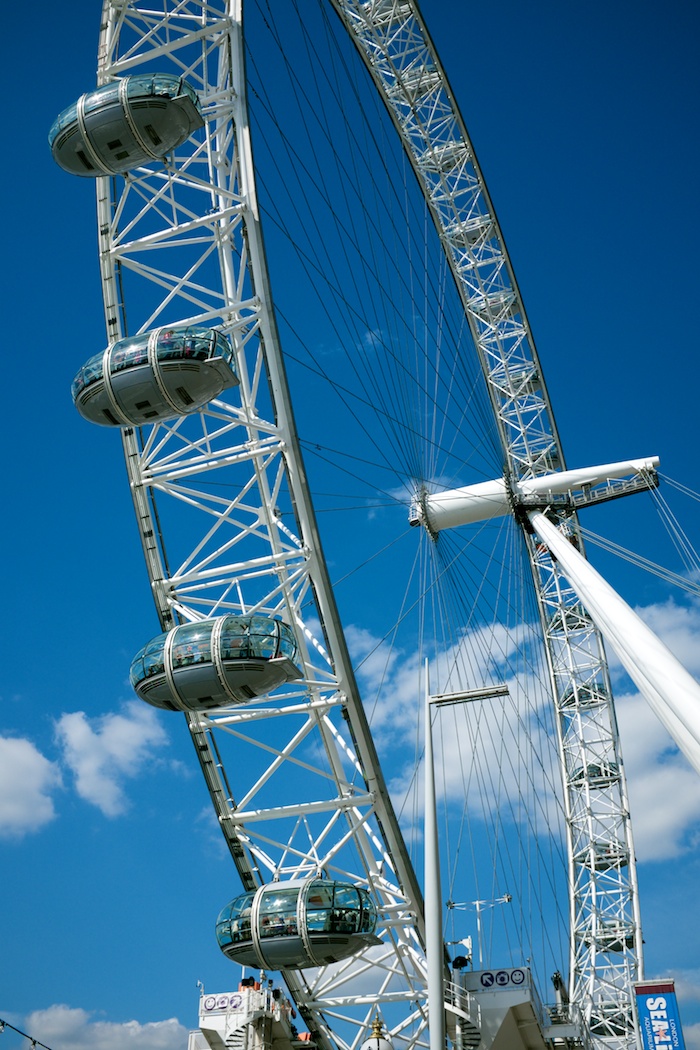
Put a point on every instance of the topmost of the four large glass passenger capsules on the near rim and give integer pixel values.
(126, 123)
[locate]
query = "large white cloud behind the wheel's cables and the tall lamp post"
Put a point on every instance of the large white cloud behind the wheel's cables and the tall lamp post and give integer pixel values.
(479, 747)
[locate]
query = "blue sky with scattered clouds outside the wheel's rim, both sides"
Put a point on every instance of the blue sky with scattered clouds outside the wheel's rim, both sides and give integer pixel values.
(585, 120)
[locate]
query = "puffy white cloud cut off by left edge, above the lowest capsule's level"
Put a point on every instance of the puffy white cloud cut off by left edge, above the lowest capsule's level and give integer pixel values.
(27, 783)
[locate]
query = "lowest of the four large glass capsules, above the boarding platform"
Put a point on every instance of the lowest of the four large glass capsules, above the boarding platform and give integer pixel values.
(308, 922)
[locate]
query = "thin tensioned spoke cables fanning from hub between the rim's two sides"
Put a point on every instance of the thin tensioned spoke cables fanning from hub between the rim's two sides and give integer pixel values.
(396, 356)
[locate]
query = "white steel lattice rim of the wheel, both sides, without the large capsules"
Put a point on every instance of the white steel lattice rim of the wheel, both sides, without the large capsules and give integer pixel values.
(227, 489)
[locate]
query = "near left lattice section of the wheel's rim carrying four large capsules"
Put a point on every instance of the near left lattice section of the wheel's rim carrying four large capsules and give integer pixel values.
(181, 244)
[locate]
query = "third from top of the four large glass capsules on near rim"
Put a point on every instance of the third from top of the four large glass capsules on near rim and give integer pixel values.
(216, 663)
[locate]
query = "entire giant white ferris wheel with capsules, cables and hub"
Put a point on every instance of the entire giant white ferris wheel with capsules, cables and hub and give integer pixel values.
(425, 407)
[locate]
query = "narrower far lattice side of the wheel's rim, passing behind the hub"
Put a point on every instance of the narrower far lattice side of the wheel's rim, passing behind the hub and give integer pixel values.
(606, 953)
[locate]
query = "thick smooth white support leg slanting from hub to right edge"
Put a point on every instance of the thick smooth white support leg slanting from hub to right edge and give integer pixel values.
(672, 692)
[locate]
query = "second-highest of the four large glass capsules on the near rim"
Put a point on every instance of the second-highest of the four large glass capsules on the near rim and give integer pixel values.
(155, 376)
